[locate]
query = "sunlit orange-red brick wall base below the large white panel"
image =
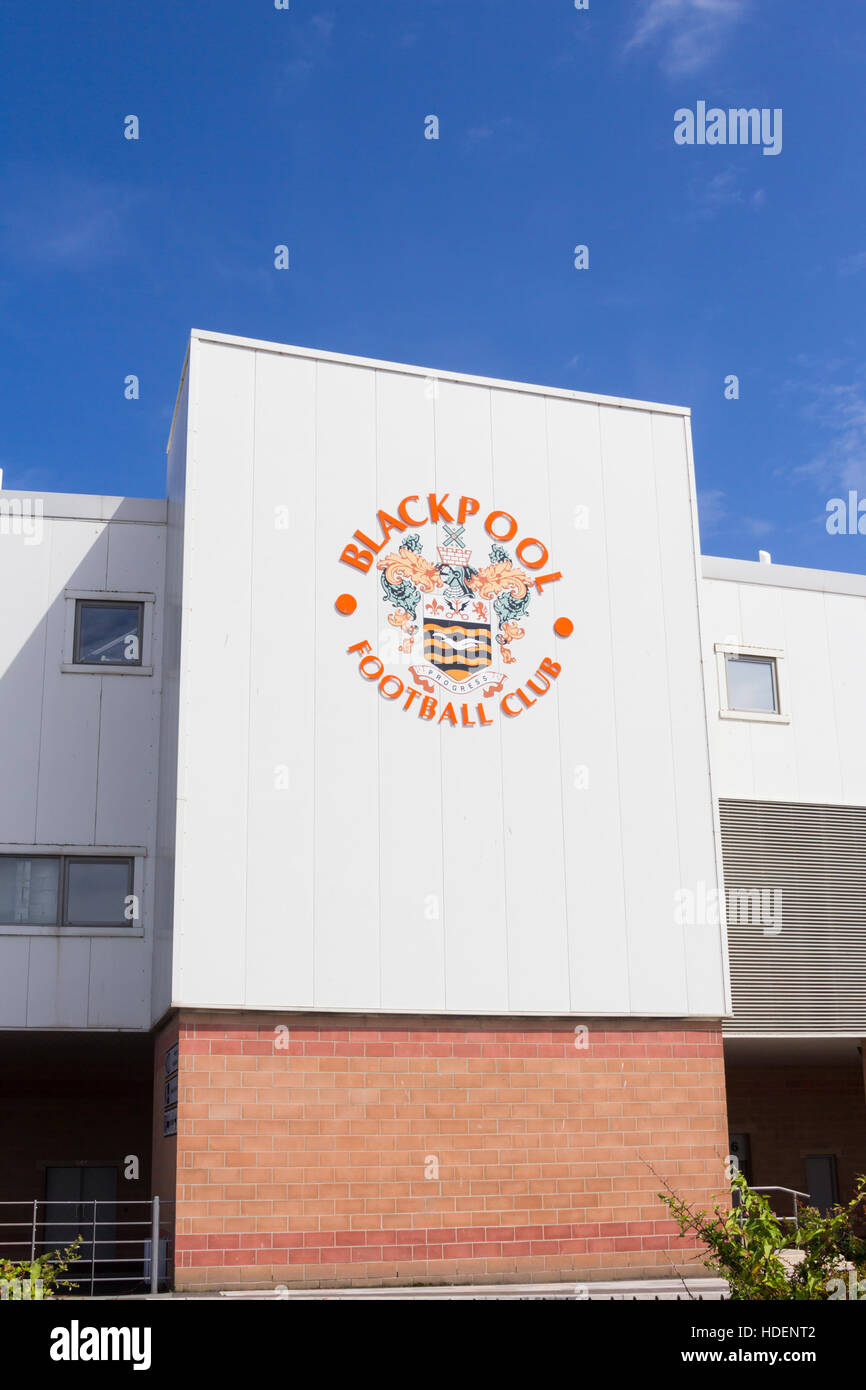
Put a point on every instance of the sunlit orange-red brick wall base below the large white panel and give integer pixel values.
(307, 1164)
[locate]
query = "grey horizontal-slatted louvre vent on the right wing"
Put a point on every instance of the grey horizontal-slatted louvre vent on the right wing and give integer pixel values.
(796, 894)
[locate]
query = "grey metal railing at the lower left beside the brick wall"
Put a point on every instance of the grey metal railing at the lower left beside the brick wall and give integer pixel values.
(126, 1245)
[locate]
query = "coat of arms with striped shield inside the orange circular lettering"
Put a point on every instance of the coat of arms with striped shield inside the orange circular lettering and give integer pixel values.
(465, 616)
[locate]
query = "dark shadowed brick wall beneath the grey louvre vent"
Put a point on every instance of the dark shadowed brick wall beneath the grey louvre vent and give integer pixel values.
(793, 1111)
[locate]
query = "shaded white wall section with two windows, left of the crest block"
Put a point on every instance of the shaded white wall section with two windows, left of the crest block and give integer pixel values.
(77, 751)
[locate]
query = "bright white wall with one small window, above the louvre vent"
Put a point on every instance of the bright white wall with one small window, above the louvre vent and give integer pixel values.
(818, 755)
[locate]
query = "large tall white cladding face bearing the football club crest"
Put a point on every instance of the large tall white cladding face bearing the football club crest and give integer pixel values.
(337, 851)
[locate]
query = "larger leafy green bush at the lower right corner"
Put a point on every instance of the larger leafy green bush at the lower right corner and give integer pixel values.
(746, 1245)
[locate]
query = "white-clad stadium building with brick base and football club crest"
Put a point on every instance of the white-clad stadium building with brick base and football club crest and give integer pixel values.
(414, 854)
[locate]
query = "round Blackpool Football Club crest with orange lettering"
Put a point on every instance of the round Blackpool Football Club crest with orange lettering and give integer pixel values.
(461, 589)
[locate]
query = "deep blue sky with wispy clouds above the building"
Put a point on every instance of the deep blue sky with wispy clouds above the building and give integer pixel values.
(307, 127)
